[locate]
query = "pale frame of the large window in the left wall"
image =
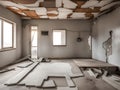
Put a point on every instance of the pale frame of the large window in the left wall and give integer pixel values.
(13, 35)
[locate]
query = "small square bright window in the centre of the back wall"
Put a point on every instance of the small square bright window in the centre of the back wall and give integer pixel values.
(59, 37)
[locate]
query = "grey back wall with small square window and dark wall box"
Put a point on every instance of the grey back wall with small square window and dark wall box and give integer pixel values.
(45, 47)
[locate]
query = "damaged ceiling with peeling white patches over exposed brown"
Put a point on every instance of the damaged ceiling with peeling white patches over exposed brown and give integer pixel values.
(59, 9)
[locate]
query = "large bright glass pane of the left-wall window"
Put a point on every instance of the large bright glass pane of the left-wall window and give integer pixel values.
(7, 34)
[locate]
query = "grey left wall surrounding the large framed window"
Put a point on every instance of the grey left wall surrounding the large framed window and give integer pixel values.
(7, 57)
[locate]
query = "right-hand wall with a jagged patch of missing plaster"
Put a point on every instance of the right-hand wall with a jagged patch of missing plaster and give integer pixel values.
(100, 32)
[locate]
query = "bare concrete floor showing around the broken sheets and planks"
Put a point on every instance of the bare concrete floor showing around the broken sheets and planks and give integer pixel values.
(83, 83)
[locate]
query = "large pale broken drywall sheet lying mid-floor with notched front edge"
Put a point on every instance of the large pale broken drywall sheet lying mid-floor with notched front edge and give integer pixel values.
(44, 70)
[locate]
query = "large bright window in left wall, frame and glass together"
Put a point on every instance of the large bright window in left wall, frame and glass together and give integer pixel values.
(7, 34)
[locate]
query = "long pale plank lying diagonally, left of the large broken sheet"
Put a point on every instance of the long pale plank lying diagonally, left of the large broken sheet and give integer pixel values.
(16, 79)
